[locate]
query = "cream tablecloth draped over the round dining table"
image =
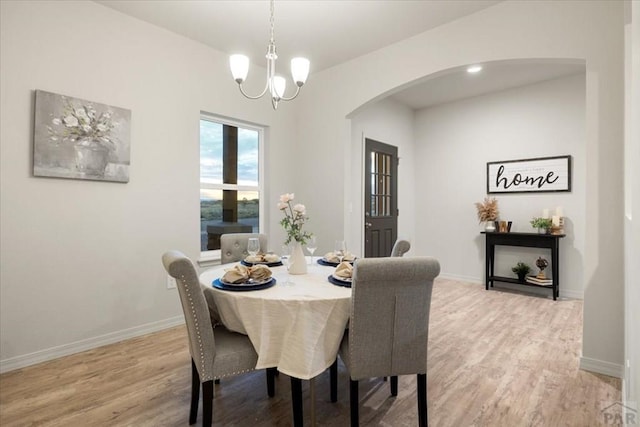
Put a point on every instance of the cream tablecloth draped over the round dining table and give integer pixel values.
(296, 328)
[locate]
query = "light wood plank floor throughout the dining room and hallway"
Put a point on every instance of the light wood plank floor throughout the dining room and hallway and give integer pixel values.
(495, 359)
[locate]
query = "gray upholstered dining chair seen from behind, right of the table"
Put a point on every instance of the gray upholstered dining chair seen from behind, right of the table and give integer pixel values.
(389, 324)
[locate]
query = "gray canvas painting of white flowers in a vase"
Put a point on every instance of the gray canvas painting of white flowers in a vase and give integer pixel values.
(79, 139)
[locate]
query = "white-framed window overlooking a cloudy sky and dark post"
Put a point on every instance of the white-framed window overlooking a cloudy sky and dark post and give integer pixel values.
(230, 180)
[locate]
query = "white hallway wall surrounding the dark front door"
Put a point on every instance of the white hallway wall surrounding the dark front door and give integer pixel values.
(391, 123)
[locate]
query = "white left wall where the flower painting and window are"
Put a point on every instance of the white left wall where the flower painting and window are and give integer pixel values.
(80, 260)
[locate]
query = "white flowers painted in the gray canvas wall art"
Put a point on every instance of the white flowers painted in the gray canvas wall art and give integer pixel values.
(83, 125)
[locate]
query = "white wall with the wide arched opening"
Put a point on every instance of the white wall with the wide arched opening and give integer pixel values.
(582, 30)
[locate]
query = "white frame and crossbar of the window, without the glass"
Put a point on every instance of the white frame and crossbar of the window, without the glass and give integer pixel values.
(214, 254)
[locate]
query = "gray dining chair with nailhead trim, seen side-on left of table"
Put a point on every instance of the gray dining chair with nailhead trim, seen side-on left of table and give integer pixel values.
(215, 352)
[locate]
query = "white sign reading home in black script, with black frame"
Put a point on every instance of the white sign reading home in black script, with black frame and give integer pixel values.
(542, 174)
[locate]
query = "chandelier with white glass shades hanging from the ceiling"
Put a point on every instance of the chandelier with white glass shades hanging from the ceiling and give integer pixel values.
(276, 85)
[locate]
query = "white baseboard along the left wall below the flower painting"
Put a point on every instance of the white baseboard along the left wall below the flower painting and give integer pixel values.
(87, 344)
